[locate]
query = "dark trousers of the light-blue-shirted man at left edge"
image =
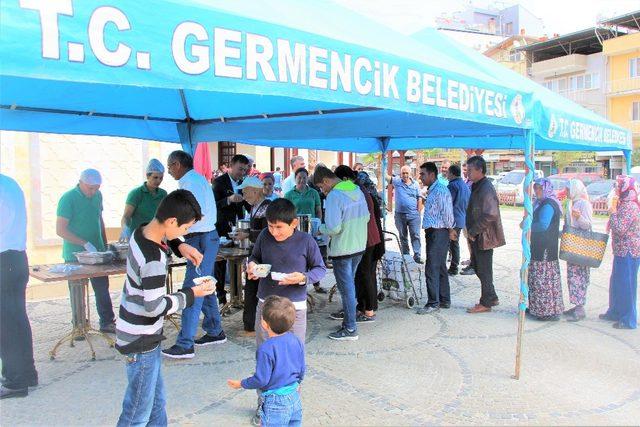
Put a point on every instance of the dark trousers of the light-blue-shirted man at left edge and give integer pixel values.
(16, 342)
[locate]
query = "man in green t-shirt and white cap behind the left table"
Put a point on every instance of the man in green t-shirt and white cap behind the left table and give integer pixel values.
(79, 223)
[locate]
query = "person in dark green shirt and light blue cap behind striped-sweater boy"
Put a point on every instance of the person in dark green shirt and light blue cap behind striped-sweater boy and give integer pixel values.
(143, 201)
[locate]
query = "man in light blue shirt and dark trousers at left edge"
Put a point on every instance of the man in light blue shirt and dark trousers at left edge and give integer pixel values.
(16, 342)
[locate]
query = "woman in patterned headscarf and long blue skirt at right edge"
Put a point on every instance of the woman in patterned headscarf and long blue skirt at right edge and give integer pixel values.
(624, 225)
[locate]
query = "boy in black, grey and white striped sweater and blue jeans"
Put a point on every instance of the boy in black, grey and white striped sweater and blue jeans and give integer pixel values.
(144, 303)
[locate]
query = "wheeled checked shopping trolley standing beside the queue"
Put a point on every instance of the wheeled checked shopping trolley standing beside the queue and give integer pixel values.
(399, 276)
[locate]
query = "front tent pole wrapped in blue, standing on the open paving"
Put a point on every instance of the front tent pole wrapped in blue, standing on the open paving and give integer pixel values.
(529, 149)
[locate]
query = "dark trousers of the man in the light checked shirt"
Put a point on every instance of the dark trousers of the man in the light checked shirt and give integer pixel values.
(435, 269)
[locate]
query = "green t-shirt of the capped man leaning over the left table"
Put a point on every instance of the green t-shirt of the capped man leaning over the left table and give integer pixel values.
(84, 215)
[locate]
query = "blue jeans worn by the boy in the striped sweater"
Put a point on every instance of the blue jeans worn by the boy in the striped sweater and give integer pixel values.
(144, 401)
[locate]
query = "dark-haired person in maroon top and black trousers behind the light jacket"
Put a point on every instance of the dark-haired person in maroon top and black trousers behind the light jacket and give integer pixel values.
(365, 278)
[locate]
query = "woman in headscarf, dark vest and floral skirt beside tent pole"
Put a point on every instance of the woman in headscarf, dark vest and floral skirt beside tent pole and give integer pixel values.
(545, 287)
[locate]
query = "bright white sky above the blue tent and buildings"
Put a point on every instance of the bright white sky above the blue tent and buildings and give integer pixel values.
(559, 16)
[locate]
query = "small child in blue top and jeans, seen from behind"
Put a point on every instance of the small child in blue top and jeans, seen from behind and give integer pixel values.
(279, 366)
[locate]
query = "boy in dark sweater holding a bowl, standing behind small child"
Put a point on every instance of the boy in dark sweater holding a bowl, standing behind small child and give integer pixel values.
(288, 251)
